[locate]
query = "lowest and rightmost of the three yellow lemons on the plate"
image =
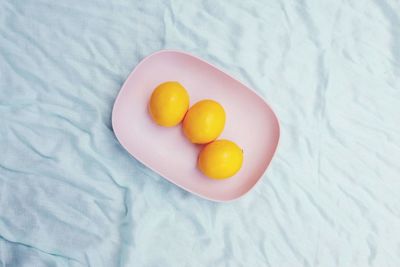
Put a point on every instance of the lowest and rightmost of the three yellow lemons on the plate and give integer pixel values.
(220, 159)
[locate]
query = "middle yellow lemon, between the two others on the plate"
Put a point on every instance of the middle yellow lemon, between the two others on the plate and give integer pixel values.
(204, 122)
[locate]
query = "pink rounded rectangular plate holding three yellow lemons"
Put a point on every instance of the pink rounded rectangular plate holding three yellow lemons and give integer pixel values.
(250, 123)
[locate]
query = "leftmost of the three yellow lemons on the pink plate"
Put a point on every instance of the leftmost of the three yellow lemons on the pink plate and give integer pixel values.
(168, 104)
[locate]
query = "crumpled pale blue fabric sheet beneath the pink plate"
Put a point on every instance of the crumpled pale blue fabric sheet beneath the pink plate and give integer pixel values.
(71, 196)
